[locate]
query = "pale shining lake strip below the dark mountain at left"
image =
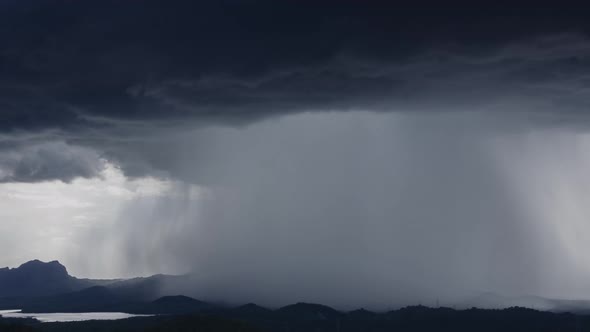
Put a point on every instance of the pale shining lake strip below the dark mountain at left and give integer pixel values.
(68, 317)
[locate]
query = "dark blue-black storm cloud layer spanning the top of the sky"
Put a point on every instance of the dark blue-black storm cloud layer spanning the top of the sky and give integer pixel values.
(75, 66)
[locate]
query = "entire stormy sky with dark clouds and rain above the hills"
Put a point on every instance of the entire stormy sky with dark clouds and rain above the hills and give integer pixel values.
(342, 152)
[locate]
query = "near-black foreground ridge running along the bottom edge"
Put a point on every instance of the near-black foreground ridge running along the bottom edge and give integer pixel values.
(312, 317)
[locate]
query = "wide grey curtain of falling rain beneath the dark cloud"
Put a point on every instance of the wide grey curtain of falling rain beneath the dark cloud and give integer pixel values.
(364, 209)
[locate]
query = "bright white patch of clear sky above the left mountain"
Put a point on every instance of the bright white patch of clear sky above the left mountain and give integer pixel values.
(48, 220)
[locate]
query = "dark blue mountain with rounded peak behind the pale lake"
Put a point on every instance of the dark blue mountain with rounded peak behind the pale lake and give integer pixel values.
(47, 287)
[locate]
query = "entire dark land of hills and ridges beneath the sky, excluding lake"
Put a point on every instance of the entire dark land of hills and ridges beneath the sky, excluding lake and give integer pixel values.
(53, 290)
